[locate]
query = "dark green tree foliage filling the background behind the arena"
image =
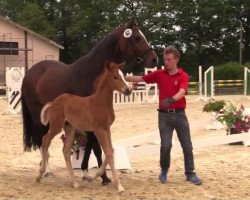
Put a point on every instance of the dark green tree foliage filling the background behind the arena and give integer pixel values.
(206, 32)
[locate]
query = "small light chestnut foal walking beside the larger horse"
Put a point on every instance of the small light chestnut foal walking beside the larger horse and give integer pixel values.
(94, 113)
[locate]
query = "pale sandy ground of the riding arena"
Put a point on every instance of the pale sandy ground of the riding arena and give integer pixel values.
(225, 169)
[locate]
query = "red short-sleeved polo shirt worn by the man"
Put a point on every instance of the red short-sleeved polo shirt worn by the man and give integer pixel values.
(169, 85)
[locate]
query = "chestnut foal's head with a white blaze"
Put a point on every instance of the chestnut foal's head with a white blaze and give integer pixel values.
(116, 78)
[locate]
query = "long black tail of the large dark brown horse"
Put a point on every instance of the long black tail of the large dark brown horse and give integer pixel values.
(27, 126)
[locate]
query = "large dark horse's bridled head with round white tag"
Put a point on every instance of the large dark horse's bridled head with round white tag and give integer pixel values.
(134, 47)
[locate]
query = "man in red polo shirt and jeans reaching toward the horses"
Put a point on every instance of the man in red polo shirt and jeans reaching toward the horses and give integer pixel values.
(173, 84)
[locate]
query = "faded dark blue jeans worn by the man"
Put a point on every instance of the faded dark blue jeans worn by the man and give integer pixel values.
(168, 122)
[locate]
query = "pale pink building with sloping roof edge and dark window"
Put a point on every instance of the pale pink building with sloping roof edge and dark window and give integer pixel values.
(21, 47)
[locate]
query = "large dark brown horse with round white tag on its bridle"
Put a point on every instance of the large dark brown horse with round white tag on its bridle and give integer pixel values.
(47, 80)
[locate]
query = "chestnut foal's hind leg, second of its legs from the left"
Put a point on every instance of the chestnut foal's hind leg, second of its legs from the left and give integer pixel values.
(70, 133)
